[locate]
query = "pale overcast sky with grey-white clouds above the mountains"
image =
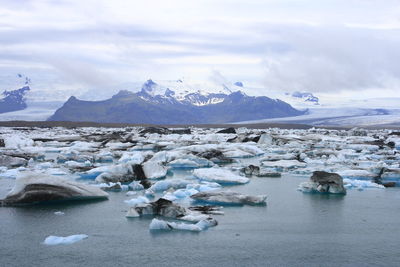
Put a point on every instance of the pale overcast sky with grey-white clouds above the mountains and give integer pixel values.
(342, 48)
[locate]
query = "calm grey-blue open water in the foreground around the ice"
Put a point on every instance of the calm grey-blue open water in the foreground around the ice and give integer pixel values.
(294, 229)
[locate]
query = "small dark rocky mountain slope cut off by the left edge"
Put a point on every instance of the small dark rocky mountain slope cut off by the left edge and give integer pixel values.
(13, 100)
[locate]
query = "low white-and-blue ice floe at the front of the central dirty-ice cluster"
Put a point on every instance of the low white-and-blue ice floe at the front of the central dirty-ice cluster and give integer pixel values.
(202, 225)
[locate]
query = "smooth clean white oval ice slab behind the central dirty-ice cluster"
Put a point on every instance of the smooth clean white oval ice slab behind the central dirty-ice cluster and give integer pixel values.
(221, 176)
